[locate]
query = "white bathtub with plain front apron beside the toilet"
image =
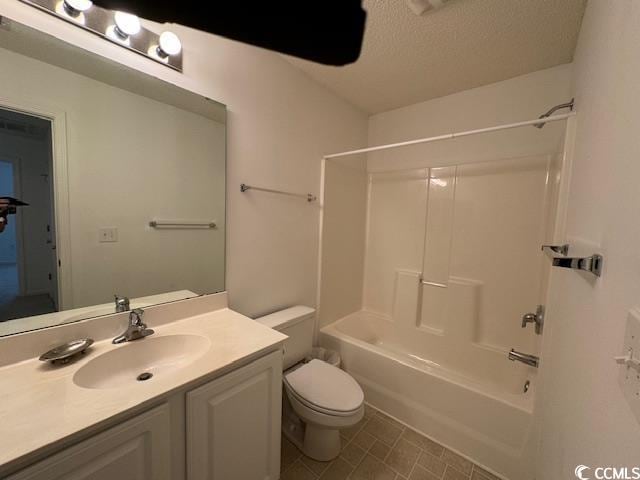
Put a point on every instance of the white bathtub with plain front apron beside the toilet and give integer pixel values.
(473, 403)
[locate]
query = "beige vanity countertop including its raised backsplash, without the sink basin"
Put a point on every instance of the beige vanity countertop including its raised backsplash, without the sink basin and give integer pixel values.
(42, 407)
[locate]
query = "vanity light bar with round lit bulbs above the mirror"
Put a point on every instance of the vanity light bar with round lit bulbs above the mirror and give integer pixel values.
(121, 28)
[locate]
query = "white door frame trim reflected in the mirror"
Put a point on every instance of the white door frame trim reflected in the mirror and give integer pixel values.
(60, 182)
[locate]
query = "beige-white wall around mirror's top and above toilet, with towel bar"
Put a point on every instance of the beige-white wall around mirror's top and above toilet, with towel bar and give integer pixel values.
(280, 124)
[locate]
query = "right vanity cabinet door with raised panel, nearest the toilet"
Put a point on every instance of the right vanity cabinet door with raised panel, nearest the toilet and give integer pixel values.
(233, 424)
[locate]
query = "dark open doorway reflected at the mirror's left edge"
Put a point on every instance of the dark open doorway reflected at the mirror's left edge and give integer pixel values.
(28, 260)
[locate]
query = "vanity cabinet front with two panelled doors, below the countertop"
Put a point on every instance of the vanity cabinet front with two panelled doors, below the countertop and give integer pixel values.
(232, 427)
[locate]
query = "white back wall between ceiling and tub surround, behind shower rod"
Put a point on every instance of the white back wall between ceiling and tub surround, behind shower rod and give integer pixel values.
(517, 99)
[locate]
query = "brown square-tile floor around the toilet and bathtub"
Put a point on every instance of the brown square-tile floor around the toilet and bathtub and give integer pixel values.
(379, 448)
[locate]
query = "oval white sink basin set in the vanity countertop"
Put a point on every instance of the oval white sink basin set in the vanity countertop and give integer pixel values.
(157, 356)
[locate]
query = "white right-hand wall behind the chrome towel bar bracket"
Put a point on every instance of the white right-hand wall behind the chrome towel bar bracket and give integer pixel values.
(586, 419)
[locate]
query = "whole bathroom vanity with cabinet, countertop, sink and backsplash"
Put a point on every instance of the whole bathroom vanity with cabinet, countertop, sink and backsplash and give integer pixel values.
(211, 409)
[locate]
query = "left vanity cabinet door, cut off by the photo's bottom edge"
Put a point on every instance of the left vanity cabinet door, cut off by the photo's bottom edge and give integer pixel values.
(138, 449)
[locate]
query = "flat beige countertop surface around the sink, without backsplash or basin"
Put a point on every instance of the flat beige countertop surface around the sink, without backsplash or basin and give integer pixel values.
(41, 405)
